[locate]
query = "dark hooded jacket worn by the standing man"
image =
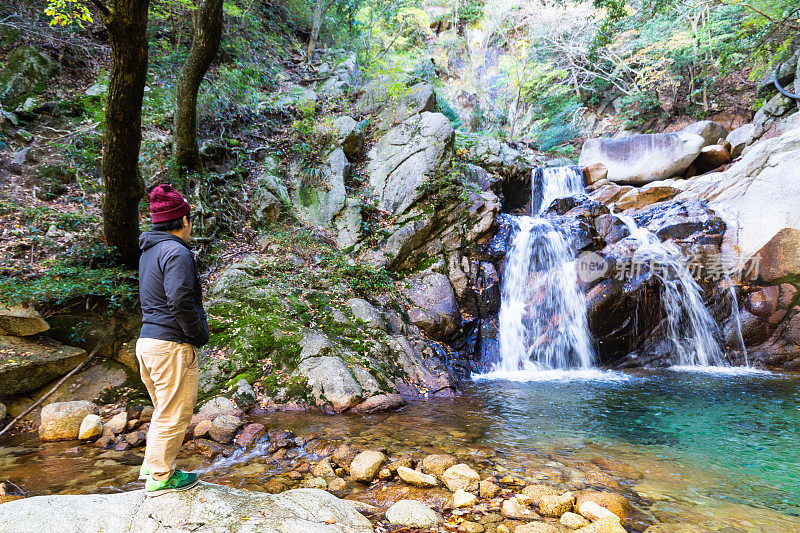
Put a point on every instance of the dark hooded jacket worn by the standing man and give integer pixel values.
(170, 291)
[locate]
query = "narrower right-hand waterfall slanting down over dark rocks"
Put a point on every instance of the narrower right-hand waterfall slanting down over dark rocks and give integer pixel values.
(689, 326)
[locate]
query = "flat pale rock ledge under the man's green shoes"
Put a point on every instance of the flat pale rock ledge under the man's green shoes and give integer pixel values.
(205, 508)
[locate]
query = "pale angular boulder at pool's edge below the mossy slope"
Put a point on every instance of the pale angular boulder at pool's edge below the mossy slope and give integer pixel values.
(331, 380)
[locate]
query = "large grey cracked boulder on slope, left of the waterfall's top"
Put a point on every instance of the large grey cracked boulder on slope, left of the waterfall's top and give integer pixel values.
(410, 154)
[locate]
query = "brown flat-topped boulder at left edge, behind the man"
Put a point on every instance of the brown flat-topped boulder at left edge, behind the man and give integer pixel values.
(26, 365)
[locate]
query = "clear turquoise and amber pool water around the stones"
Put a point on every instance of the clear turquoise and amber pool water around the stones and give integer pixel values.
(716, 448)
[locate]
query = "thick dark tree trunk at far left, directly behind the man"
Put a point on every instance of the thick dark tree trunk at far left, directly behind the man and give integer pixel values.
(126, 21)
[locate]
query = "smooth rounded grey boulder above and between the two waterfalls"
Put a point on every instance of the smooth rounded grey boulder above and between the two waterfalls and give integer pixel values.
(642, 158)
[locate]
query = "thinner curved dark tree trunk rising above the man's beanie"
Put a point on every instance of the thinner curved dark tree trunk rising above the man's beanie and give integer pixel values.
(205, 43)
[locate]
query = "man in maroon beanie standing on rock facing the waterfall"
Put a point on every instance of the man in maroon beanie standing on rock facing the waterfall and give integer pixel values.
(173, 328)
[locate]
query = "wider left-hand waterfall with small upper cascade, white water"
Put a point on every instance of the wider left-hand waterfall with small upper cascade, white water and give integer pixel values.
(543, 323)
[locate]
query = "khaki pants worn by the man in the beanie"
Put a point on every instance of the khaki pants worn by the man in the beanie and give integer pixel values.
(169, 371)
